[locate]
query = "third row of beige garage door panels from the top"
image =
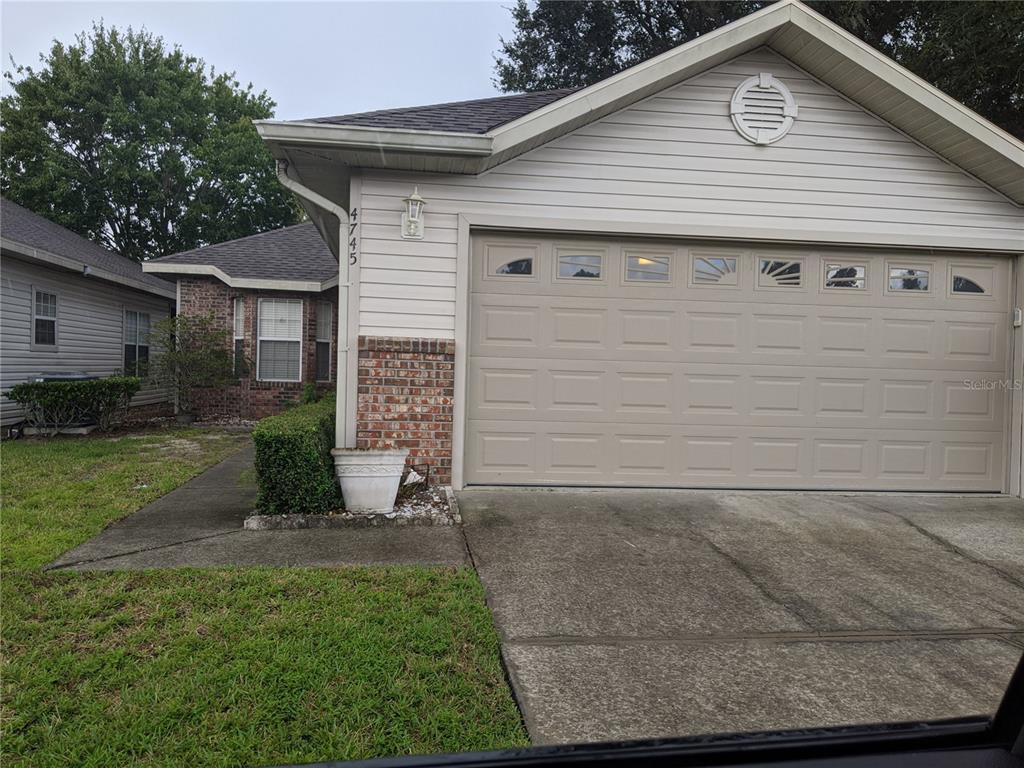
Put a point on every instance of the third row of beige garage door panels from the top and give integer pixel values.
(707, 394)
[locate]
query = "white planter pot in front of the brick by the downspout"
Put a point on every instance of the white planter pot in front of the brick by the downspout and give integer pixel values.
(369, 480)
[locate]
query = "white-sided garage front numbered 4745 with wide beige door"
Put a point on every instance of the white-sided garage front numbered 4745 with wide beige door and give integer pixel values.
(770, 259)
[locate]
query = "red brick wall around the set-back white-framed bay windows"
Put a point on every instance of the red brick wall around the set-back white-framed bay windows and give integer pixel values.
(250, 399)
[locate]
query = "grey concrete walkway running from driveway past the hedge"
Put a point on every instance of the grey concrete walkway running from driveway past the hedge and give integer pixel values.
(200, 526)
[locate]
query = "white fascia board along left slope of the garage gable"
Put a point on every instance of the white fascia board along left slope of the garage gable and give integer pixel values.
(667, 68)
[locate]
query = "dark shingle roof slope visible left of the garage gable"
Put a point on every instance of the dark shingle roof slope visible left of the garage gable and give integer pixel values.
(479, 116)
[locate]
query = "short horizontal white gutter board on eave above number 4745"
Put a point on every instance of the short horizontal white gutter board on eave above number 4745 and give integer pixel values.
(391, 140)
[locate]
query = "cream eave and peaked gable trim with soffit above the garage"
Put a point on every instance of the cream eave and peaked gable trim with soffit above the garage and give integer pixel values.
(821, 48)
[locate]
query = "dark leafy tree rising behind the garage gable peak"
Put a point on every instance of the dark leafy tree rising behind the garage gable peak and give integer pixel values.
(972, 51)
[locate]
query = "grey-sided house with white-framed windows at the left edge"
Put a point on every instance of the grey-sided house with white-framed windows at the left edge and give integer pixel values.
(70, 306)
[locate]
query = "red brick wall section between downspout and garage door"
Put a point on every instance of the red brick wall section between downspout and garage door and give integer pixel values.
(406, 397)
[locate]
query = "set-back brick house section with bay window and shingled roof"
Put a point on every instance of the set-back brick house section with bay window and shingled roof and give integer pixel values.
(277, 293)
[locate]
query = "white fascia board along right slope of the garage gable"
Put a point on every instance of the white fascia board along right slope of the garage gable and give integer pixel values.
(916, 90)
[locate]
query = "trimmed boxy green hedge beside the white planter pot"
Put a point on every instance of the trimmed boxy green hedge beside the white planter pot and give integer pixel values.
(294, 467)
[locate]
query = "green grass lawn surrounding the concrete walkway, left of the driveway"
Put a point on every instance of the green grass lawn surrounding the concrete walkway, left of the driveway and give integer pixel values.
(223, 667)
